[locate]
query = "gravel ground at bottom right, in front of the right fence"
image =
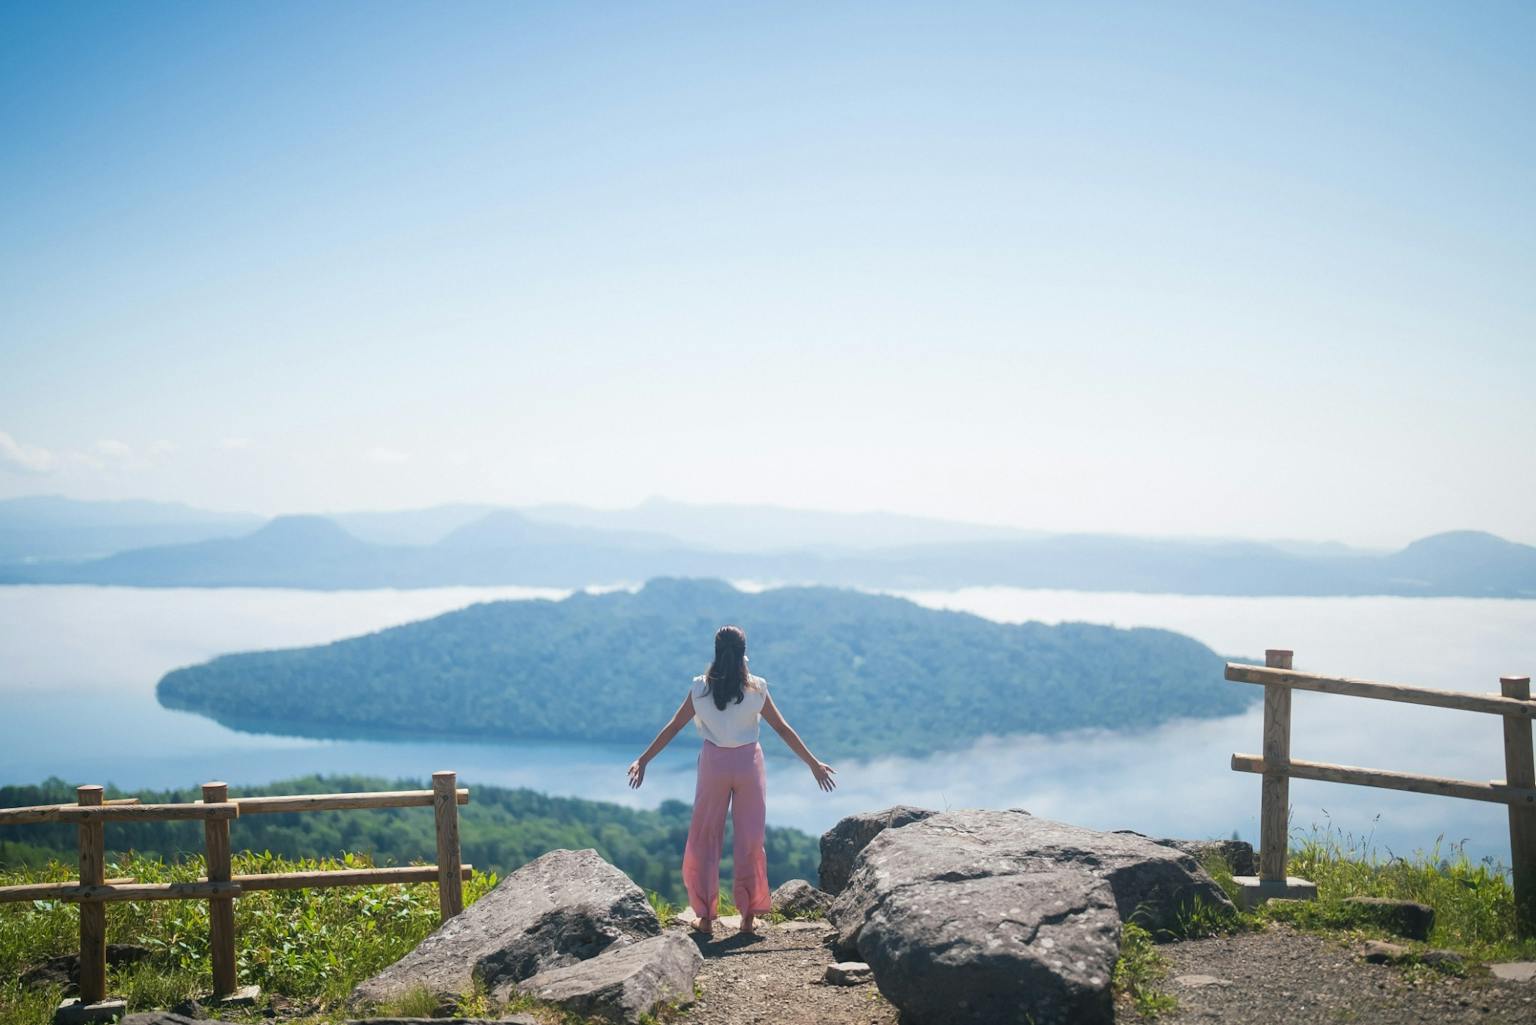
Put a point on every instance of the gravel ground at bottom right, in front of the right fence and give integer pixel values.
(1286, 978)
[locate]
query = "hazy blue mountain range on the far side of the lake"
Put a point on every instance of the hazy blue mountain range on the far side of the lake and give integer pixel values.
(508, 546)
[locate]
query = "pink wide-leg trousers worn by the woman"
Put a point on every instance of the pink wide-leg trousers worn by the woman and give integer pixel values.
(729, 777)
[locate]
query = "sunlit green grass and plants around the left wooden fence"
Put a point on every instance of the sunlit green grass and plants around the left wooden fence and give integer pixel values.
(299, 944)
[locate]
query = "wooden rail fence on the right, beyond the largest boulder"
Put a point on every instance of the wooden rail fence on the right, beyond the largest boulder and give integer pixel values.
(1517, 791)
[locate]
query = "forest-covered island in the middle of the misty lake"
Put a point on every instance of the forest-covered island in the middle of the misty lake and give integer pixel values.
(858, 675)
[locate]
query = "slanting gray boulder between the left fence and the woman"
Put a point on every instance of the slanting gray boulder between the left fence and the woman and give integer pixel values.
(557, 911)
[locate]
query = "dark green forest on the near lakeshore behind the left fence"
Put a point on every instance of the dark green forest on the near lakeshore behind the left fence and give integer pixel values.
(500, 829)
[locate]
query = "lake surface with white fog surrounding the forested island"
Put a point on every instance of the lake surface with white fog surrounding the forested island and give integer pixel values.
(79, 668)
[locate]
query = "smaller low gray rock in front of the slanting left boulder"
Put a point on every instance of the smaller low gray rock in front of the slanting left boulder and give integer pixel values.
(621, 984)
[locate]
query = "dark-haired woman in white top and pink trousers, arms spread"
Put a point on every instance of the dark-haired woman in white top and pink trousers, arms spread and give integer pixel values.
(727, 703)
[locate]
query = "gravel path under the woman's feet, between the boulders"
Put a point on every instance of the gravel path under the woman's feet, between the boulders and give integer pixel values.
(778, 980)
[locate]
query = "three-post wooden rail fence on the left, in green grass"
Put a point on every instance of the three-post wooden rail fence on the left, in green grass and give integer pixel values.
(220, 887)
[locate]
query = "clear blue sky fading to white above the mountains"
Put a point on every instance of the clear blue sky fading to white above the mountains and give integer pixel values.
(1217, 270)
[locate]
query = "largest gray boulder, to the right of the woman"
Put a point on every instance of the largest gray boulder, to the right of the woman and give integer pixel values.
(1002, 917)
